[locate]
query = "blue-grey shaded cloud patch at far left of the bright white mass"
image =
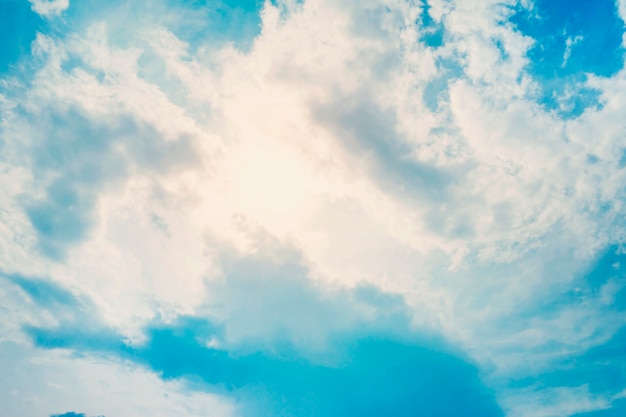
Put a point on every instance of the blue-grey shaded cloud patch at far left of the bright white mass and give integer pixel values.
(68, 171)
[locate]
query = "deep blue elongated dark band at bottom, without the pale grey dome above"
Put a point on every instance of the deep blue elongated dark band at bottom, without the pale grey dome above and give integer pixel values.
(360, 373)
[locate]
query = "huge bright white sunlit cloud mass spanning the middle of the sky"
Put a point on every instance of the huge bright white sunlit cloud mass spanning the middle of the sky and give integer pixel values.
(308, 137)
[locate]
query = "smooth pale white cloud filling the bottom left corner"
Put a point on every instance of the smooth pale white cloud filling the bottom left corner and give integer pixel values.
(40, 383)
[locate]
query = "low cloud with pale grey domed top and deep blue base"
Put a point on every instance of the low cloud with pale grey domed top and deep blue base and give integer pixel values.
(275, 365)
